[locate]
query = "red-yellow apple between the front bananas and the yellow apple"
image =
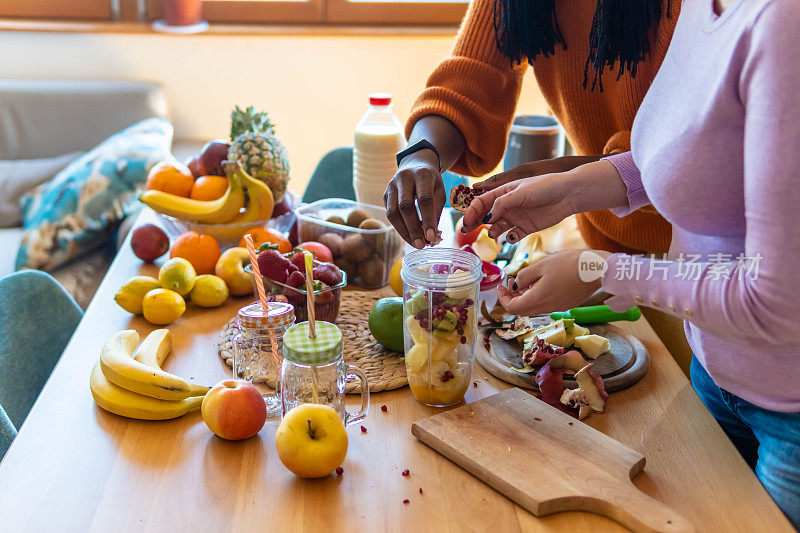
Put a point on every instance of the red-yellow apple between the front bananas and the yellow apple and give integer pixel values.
(234, 409)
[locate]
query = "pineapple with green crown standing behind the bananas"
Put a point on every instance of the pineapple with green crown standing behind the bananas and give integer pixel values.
(254, 145)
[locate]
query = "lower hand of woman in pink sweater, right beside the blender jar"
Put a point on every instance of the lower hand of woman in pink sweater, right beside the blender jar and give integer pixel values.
(550, 284)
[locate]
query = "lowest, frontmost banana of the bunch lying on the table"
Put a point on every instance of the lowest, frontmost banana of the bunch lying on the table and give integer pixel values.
(126, 403)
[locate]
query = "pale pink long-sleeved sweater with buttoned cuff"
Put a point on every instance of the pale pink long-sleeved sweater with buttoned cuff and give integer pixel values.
(716, 150)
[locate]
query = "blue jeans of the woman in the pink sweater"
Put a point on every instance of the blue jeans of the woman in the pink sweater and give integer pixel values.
(768, 440)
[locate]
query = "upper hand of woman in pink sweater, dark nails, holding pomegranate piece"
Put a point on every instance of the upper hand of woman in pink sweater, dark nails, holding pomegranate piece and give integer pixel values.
(523, 206)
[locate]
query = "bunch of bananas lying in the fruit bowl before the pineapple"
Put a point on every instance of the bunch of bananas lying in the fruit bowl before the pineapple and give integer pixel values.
(224, 210)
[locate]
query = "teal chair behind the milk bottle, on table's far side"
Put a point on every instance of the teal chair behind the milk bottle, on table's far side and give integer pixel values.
(333, 177)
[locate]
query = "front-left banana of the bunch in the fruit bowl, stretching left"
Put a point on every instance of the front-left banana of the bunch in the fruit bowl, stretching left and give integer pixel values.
(218, 211)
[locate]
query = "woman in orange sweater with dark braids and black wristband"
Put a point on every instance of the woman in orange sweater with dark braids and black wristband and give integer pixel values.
(593, 72)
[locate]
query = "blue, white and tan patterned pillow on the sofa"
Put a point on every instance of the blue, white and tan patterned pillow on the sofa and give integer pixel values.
(80, 209)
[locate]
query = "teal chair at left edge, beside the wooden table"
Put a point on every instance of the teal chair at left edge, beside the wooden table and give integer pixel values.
(37, 319)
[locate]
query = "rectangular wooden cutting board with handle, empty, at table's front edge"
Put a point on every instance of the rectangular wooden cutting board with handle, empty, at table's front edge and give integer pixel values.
(546, 461)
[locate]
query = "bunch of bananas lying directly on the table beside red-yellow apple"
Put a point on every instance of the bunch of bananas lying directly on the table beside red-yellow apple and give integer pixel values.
(128, 381)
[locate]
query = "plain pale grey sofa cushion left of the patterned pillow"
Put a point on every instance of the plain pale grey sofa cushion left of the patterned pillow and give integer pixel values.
(22, 176)
